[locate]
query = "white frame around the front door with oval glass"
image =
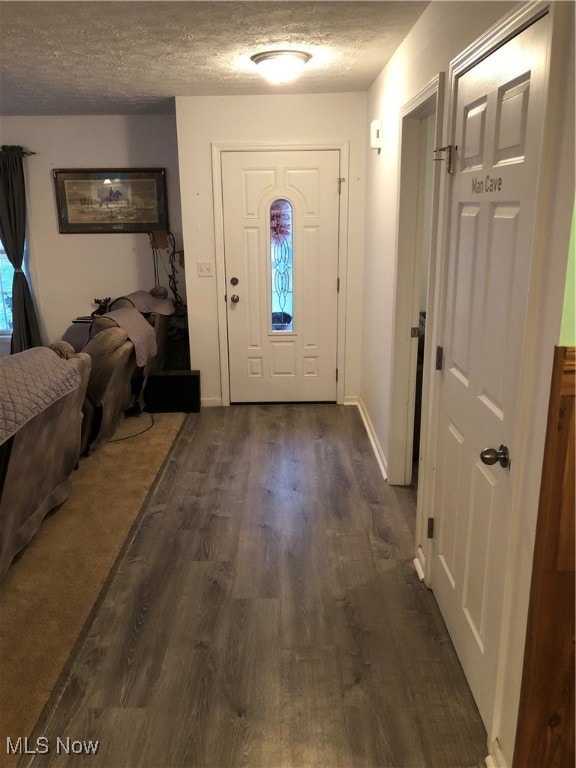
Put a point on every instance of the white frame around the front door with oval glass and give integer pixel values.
(218, 149)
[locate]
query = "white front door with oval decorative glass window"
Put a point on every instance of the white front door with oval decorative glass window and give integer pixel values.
(281, 227)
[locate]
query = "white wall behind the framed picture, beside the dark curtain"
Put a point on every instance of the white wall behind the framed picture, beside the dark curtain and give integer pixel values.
(69, 271)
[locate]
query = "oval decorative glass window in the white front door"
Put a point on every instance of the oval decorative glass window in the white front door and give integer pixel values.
(281, 265)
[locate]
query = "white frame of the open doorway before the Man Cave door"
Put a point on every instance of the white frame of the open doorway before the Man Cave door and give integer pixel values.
(402, 395)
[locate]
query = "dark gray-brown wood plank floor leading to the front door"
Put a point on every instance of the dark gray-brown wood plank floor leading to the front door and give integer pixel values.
(267, 614)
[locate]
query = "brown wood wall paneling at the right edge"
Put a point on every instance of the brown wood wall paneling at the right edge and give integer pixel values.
(545, 733)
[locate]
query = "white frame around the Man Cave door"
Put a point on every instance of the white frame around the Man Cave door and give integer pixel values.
(551, 228)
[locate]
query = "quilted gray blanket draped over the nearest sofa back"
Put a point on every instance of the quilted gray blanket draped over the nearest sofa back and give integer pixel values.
(31, 381)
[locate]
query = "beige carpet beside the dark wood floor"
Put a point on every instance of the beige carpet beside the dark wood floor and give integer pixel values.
(49, 591)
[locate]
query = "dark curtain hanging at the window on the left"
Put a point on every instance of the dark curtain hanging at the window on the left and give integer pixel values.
(26, 332)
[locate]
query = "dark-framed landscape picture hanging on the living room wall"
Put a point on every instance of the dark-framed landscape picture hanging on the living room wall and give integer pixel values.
(111, 200)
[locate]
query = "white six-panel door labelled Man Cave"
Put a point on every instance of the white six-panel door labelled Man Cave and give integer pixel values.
(498, 132)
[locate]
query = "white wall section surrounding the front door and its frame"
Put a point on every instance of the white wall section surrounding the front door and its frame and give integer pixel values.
(295, 119)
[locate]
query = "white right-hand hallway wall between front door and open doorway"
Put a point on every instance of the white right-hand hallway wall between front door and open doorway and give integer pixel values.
(443, 31)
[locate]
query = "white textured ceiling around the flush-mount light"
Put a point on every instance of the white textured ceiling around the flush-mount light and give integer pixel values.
(115, 57)
